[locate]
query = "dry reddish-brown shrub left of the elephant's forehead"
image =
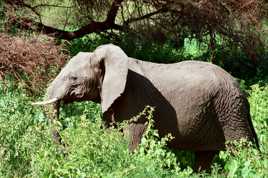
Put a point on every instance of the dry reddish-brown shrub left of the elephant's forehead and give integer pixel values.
(19, 56)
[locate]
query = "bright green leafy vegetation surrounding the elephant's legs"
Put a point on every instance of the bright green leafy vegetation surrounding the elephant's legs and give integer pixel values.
(27, 149)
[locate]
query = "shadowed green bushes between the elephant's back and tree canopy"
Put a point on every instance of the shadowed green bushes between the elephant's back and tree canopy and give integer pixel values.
(228, 56)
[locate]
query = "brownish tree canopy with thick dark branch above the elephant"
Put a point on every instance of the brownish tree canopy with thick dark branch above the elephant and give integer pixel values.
(238, 21)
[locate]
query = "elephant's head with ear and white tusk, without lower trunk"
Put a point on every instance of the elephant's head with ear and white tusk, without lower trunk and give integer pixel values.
(99, 76)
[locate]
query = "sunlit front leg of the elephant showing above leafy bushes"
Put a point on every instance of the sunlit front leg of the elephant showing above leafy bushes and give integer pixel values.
(134, 133)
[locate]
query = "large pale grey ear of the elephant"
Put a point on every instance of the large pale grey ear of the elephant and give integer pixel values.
(116, 69)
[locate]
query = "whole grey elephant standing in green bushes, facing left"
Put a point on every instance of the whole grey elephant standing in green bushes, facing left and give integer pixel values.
(198, 103)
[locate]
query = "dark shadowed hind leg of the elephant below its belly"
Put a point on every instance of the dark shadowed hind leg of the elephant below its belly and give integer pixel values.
(204, 159)
